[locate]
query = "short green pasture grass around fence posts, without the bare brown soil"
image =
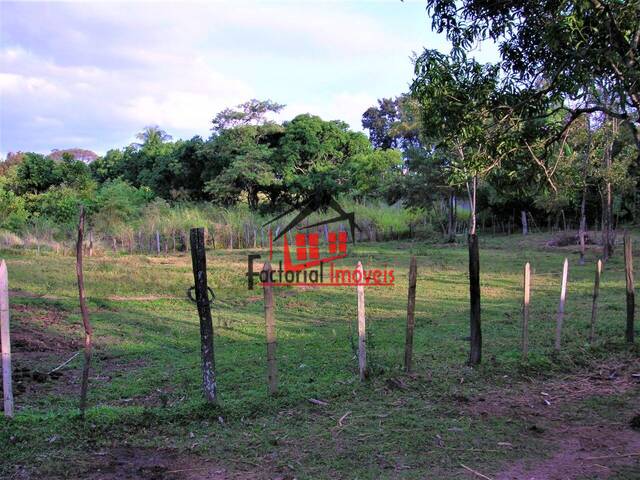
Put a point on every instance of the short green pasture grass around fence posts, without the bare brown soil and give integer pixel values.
(145, 386)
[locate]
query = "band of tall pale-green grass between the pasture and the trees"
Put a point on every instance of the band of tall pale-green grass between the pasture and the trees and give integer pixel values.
(161, 227)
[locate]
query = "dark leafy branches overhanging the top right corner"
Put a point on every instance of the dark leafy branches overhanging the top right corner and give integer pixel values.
(556, 52)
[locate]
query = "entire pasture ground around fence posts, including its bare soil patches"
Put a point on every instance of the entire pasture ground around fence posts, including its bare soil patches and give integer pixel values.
(147, 419)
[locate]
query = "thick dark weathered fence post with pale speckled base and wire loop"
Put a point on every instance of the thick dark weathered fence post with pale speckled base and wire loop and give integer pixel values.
(199, 261)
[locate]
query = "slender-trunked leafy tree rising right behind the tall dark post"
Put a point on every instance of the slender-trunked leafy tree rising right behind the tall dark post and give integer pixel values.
(457, 97)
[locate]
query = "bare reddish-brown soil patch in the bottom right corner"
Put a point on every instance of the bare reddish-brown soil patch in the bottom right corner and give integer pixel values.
(586, 447)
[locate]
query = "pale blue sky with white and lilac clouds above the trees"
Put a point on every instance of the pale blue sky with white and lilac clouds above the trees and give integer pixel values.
(91, 75)
